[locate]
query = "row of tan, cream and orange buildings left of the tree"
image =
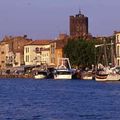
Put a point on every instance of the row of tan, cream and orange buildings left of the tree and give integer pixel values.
(18, 51)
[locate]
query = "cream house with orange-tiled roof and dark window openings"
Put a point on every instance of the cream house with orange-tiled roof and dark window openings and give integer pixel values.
(37, 52)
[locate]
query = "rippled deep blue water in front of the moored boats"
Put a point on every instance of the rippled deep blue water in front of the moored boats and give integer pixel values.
(28, 99)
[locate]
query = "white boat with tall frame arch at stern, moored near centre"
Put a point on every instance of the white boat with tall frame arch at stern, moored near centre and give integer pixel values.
(63, 70)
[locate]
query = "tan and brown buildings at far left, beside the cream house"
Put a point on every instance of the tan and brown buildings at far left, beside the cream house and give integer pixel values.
(12, 52)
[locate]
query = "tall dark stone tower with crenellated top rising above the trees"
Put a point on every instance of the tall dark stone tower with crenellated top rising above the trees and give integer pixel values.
(78, 25)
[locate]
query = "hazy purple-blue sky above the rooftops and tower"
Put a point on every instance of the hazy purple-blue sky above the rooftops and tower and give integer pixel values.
(46, 19)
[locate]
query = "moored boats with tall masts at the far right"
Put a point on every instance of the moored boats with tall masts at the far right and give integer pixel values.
(107, 73)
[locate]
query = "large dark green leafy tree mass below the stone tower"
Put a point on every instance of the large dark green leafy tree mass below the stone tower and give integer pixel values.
(80, 52)
